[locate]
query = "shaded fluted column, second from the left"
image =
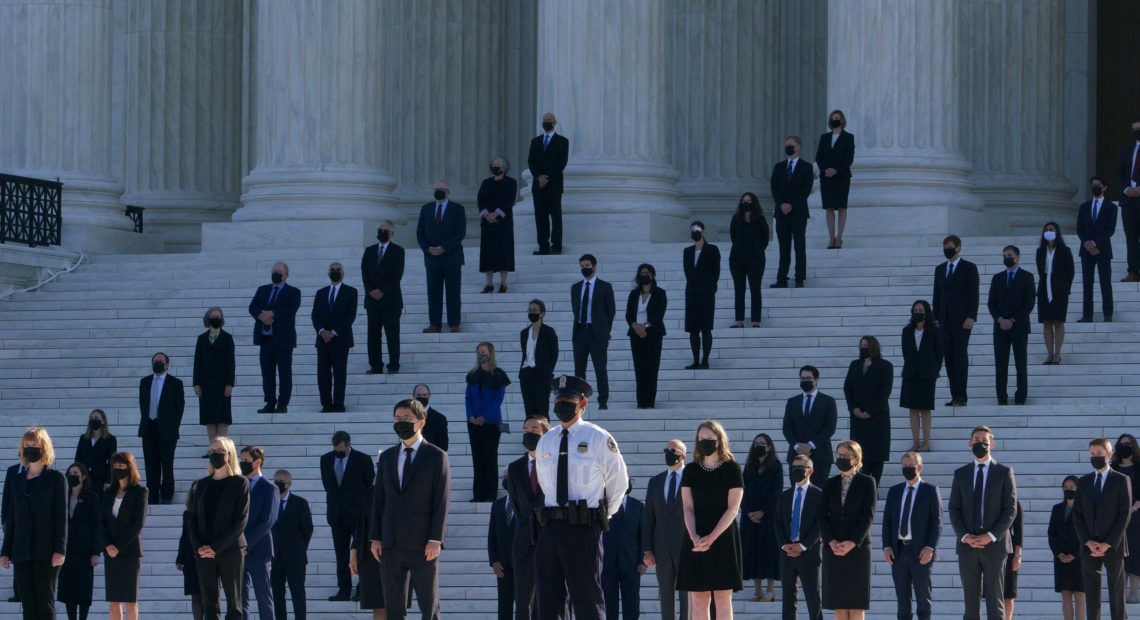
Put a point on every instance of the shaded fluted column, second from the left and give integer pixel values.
(183, 123)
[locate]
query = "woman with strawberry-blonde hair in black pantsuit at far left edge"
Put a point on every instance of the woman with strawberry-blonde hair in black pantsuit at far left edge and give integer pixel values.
(36, 527)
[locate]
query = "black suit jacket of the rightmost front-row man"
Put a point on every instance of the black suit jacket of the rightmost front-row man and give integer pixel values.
(1104, 519)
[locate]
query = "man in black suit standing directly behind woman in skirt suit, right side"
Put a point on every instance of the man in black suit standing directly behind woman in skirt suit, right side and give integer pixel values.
(956, 311)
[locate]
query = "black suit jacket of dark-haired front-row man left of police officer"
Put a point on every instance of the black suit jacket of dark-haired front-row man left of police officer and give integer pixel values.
(411, 518)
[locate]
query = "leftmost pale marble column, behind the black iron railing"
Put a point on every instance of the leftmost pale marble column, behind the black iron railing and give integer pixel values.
(55, 115)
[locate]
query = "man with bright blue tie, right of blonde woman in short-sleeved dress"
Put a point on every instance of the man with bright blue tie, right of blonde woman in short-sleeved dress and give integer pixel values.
(797, 529)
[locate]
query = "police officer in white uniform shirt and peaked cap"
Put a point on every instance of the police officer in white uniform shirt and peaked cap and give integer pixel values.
(583, 478)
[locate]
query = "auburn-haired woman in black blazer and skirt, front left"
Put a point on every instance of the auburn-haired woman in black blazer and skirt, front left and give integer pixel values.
(124, 516)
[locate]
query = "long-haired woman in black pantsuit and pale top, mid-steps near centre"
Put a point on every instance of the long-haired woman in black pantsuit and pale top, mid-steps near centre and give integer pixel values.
(646, 317)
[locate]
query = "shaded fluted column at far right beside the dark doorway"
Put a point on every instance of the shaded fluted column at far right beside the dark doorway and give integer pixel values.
(1014, 110)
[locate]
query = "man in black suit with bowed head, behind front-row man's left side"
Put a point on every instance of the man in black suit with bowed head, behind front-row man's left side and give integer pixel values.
(346, 474)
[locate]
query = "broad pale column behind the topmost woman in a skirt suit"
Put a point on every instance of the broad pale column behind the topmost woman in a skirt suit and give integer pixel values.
(893, 68)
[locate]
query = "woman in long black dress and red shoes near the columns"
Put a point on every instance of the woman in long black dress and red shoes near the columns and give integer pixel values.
(496, 224)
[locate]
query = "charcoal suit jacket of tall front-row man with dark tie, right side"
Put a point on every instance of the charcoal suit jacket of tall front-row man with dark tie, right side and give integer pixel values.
(999, 504)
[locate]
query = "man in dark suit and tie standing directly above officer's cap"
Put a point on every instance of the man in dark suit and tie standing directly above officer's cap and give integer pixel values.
(592, 303)
